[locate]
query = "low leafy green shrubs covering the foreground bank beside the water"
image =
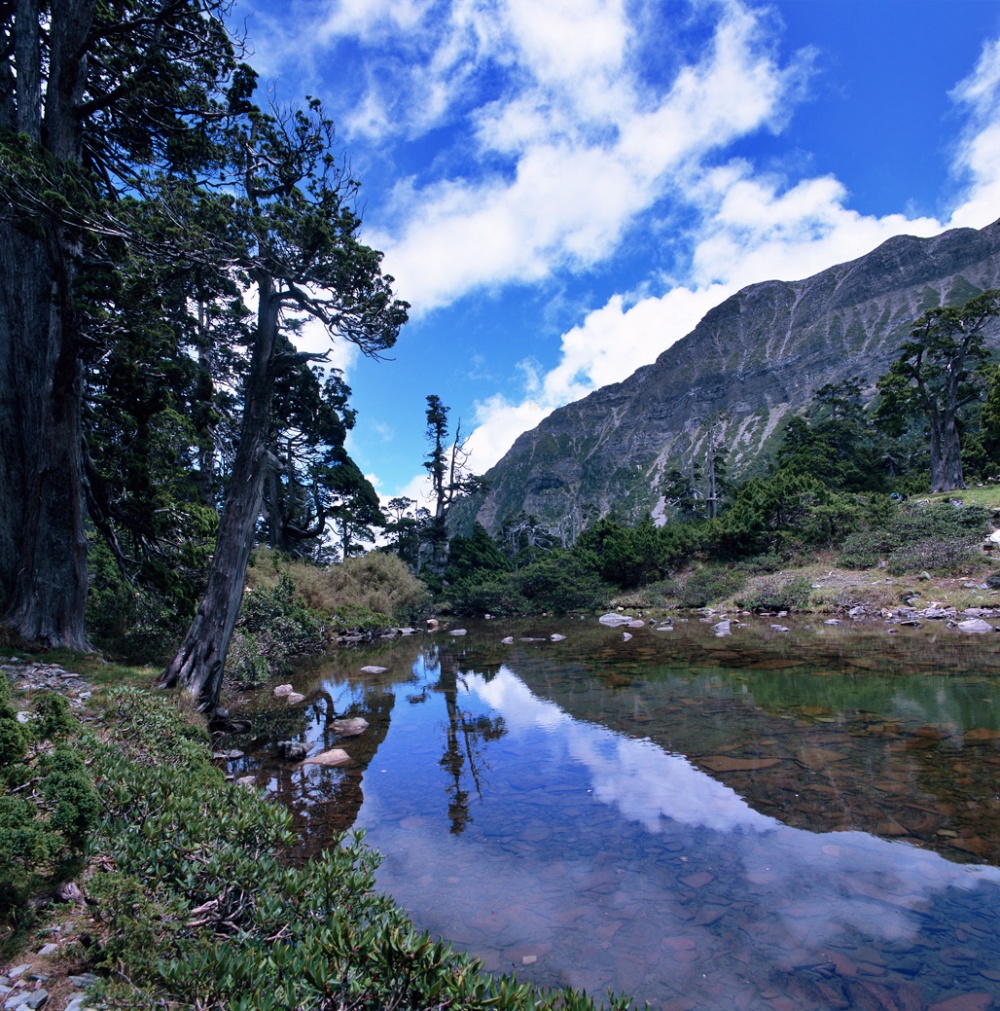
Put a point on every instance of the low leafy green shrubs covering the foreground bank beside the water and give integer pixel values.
(201, 910)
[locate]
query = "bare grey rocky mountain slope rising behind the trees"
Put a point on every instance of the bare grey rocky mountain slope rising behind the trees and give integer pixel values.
(751, 361)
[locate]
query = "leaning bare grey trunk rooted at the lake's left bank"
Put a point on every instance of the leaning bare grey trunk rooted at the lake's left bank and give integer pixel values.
(201, 663)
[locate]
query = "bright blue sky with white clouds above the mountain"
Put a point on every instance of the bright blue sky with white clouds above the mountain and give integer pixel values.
(563, 189)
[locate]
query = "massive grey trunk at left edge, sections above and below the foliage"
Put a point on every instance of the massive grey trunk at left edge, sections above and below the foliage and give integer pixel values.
(43, 541)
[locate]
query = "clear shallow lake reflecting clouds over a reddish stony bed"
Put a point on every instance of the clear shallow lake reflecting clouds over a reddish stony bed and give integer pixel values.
(778, 820)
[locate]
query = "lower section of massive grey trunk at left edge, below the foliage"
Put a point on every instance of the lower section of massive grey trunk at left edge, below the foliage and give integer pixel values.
(43, 508)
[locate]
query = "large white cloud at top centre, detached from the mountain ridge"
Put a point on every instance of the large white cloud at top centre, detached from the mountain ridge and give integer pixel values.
(588, 148)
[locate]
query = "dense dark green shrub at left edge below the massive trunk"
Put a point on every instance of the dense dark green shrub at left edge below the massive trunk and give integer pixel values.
(48, 804)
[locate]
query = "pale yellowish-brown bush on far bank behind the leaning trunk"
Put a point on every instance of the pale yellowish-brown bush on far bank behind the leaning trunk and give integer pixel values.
(379, 583)
